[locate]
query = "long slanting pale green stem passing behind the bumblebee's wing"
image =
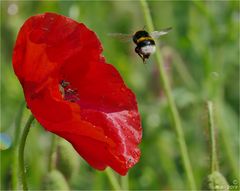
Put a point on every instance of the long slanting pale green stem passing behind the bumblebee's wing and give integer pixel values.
(172, 106)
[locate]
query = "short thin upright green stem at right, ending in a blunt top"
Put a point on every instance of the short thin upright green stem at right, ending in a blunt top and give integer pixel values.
(214, 160)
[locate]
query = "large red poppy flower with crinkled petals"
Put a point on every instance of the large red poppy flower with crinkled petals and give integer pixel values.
(75, 94)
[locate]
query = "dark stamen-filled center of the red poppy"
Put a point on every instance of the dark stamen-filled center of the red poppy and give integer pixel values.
(68, 92)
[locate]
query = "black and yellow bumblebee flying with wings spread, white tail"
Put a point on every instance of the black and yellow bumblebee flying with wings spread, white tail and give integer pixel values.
(145, 44)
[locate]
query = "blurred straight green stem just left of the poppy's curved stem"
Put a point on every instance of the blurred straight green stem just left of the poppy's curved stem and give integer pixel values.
(15, 145)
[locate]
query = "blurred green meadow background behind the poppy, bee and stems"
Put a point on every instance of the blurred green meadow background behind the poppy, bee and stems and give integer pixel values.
(201, 55)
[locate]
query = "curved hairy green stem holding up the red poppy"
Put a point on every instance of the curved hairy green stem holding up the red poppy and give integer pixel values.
(21, 151)
